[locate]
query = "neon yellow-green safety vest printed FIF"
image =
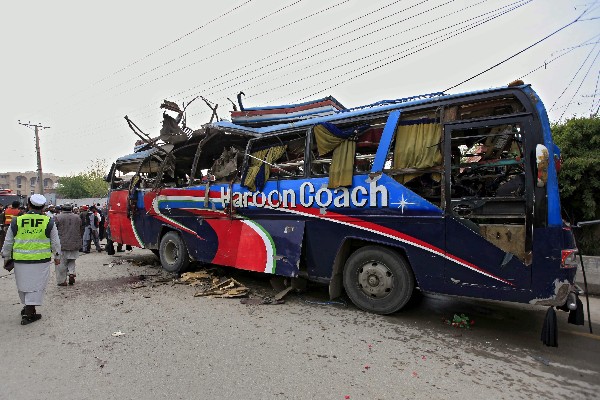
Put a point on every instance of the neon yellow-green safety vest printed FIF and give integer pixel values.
(31, 243)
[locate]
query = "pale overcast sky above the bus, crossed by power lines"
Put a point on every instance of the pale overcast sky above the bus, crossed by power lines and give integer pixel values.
(80, 67)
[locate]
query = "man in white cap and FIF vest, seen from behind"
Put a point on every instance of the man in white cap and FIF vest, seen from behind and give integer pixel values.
(31, 240)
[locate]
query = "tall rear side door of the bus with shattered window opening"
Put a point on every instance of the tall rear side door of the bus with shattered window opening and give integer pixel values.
(488, 200)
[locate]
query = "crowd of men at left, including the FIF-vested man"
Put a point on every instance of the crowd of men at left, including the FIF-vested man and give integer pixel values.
(31, 236)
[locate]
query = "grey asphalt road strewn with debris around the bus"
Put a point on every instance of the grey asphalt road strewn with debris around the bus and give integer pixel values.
(176, 346)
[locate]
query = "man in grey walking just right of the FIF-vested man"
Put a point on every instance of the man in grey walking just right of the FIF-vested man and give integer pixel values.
(69, 232)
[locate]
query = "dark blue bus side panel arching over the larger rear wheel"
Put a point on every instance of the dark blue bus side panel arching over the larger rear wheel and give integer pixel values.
(420, 239)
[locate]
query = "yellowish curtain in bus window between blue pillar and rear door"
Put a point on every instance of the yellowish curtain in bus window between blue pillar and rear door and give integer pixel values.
(417, 146)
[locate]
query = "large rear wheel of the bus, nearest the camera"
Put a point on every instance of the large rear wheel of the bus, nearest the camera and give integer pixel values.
(378, 280)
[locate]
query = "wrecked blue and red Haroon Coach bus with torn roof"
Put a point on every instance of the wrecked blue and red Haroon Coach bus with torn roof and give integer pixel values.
(444, 193)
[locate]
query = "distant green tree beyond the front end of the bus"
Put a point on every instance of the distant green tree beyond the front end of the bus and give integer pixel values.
(89, 183)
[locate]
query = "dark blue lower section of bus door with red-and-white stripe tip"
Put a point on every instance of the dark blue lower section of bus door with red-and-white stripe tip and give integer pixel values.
(474, 266)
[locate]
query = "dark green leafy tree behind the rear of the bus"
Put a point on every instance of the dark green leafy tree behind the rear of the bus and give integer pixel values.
(579, 178)
